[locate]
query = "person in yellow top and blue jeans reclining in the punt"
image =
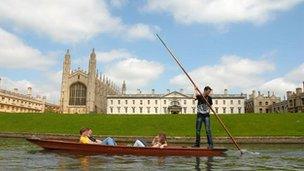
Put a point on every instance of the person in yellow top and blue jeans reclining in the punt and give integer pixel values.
(87, 138)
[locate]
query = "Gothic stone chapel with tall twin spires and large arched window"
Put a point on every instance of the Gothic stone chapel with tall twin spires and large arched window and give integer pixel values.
(82, 91)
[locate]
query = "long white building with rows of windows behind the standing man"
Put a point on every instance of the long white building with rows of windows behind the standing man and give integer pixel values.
(175, 102)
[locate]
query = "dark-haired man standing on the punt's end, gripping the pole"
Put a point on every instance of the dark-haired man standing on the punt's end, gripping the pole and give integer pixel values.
(203, 115)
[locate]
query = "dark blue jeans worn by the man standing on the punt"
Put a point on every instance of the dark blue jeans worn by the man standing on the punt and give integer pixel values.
(200, 118)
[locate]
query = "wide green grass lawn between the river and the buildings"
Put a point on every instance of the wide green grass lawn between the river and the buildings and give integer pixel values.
(148, 125)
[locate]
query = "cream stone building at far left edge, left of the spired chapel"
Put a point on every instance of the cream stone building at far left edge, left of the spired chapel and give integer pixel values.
(16, 102)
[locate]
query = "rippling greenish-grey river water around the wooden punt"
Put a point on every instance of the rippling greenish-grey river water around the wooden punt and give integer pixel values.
(18, 154)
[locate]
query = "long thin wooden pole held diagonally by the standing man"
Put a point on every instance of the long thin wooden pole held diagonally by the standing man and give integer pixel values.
(196, 88)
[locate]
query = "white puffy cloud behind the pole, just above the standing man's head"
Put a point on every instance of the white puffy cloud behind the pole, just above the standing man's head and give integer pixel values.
(231, 72)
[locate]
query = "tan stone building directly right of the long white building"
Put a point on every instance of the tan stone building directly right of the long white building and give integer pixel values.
(259, 103)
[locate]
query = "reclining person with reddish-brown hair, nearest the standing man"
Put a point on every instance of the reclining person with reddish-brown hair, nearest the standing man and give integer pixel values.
(159, 141)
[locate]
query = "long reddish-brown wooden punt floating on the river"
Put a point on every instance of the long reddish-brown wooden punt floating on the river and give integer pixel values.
(75, 147)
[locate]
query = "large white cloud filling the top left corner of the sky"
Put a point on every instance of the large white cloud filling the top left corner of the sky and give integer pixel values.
(69, 21)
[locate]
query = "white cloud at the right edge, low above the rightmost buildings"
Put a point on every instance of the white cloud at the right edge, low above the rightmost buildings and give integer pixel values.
(288, 82)
